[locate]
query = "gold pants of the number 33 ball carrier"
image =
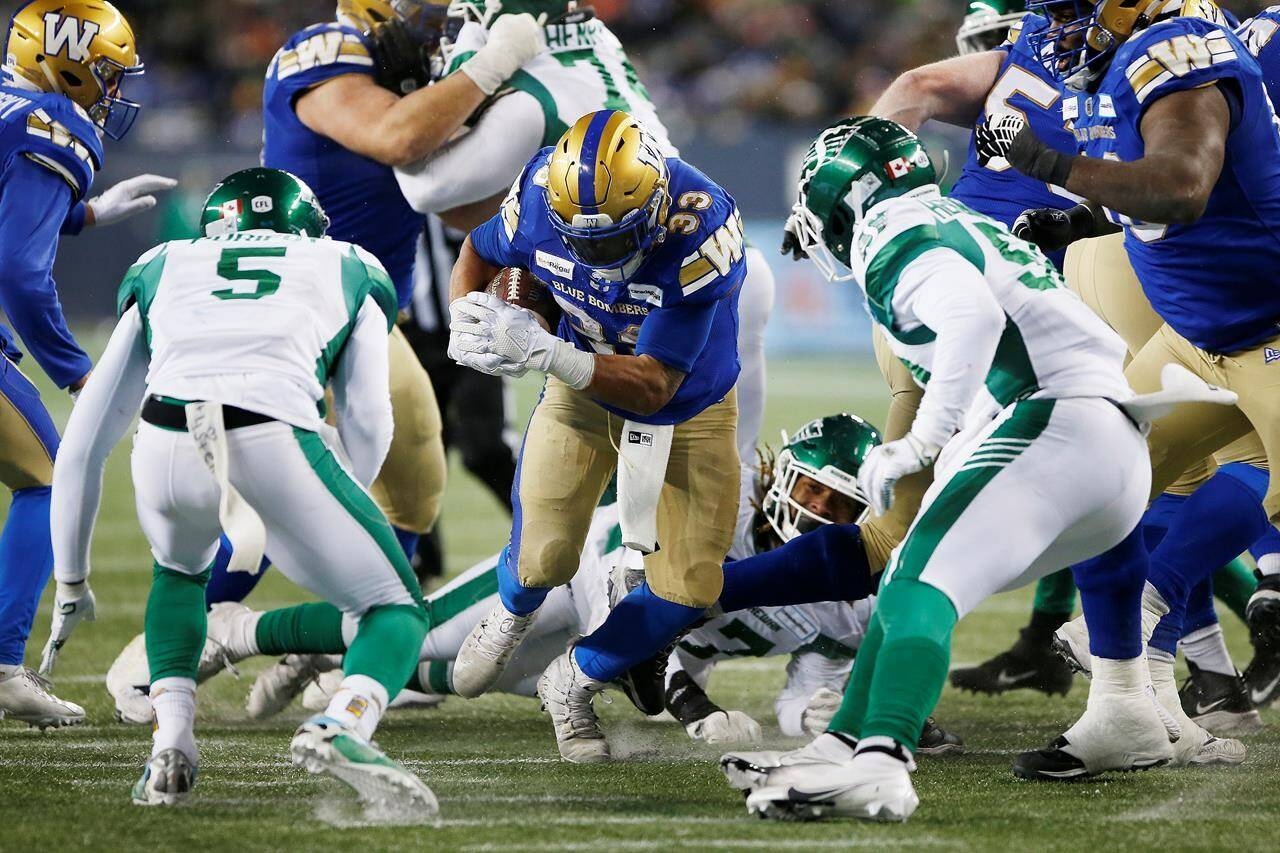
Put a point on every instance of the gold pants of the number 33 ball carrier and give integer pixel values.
(569, 457)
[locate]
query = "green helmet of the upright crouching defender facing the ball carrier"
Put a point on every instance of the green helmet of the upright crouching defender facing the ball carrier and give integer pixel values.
(852, 167)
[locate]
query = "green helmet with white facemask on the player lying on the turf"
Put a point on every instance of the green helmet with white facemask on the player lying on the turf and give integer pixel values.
(831, 451)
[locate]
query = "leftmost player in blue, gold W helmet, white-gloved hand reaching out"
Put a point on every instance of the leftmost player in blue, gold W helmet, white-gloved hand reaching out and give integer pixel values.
(62, 89)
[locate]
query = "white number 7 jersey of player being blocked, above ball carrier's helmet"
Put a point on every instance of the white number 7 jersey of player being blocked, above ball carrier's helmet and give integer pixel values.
(583, 70)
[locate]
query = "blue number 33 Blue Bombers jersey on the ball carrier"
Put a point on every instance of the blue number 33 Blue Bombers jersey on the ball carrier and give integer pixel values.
(680, 307)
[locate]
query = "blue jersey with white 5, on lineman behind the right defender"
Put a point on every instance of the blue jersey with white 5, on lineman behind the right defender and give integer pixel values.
(1023, 85)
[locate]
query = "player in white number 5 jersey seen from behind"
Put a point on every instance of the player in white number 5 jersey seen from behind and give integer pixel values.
(231, 441)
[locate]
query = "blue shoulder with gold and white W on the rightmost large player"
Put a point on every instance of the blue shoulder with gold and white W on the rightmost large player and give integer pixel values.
(1177, 54)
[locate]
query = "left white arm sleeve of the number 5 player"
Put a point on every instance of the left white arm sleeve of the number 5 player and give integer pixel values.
(102, 417)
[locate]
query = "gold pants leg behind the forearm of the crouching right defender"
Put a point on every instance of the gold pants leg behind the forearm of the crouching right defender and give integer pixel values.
(883, 533)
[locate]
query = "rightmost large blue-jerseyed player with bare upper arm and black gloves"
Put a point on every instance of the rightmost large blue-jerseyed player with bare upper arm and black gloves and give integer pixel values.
(1156, 129)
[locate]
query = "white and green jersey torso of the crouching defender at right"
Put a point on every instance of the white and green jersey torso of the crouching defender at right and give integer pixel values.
(1053, 345)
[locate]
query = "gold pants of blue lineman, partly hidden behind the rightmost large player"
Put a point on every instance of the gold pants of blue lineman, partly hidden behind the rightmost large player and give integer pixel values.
(1100, 273)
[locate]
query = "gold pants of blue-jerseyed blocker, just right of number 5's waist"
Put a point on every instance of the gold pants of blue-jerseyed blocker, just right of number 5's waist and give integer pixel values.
(412, 483)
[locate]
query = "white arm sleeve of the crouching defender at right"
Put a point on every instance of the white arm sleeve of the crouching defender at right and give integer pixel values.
(948, 294)
